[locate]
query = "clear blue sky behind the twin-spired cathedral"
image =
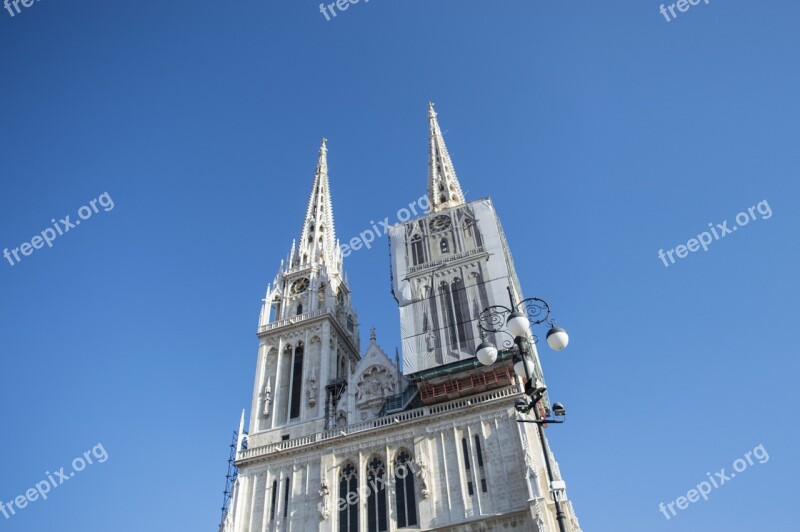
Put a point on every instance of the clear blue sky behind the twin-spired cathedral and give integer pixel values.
(602, 132)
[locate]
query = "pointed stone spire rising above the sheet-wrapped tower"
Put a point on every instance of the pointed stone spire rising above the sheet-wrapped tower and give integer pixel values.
(444, 191)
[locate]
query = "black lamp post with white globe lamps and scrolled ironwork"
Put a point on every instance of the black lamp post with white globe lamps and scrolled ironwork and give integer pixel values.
(518, 320)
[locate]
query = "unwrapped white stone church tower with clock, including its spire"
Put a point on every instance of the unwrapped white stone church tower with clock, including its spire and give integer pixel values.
(308, 338)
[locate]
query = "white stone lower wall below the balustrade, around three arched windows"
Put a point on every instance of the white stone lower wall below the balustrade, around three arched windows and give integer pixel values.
(514, 491)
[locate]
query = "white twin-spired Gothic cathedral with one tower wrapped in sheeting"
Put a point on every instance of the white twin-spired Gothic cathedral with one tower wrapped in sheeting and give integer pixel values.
(345, 439)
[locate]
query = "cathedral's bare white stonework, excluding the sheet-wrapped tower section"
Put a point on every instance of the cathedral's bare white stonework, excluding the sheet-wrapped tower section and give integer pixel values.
(340, 440)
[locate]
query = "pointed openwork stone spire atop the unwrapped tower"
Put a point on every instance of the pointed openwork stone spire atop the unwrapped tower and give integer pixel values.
(318, 237)
